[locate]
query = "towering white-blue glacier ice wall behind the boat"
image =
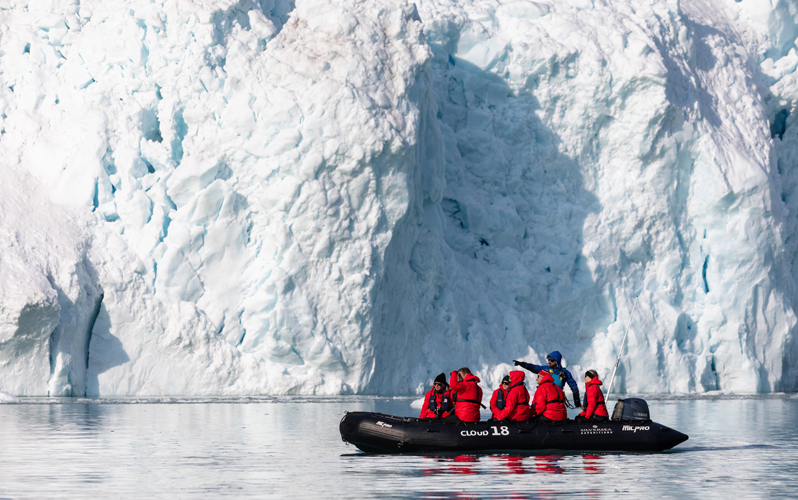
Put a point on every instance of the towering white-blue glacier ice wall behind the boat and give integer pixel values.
(246, 197)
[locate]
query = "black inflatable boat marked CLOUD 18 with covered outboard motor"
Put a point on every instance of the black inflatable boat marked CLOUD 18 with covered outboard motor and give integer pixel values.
(630, 429)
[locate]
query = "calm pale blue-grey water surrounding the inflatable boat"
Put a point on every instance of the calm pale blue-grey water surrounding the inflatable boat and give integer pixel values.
(283, 447)
